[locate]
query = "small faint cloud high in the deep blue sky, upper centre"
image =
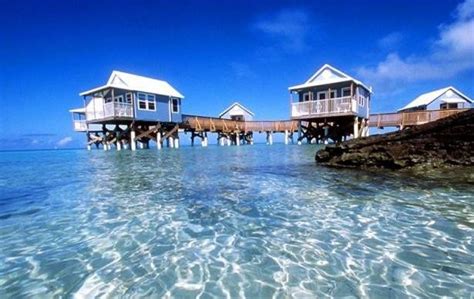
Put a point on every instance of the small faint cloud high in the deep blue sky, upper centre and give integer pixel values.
(289, 28)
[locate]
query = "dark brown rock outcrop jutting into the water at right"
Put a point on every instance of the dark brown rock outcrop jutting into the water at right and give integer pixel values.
(448, 141)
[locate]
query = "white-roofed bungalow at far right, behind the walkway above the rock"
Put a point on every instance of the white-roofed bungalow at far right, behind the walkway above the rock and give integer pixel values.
(441, 99)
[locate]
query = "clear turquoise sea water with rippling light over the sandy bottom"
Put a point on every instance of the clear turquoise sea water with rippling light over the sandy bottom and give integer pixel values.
(250, 221)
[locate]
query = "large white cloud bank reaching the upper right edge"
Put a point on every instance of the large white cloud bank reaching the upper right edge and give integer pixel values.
(451, 53)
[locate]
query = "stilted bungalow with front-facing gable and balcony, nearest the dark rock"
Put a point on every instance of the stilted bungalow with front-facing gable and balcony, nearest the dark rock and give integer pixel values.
(331, 104)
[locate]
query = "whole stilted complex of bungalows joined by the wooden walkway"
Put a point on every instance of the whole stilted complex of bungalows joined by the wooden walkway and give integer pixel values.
(129, 111)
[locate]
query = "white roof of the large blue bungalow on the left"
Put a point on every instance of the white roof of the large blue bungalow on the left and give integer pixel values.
(137, 83)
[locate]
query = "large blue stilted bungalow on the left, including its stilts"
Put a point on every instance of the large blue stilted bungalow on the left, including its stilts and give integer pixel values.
(138, 108)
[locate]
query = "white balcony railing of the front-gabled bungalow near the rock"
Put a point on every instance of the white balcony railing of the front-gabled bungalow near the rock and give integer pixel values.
(335, 106)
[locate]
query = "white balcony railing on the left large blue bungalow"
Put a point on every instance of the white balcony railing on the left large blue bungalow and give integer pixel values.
(100, 110)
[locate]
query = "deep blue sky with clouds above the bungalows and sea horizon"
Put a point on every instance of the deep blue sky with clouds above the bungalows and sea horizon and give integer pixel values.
(217, 52)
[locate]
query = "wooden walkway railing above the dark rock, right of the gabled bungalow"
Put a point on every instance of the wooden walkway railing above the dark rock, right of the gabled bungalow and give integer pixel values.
(404, 119)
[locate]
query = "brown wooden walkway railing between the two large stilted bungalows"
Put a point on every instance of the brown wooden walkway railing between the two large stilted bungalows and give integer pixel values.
(213, 124)
